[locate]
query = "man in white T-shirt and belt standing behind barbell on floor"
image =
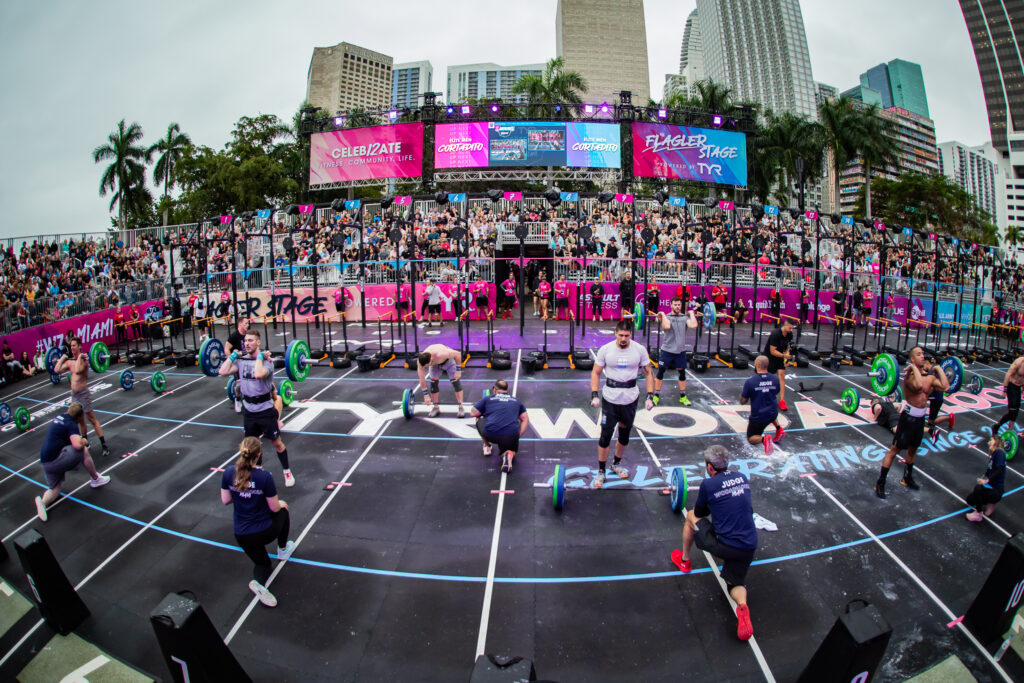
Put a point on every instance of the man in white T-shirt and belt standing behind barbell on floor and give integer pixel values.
(621, 361)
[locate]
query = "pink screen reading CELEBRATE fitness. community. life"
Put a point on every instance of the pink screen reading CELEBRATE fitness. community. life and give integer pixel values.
(362, 154)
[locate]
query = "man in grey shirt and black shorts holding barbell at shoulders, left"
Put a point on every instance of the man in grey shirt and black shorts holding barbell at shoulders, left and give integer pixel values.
(260, 416)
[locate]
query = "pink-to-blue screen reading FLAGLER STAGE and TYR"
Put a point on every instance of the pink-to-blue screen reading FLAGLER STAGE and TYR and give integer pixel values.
(662, 151)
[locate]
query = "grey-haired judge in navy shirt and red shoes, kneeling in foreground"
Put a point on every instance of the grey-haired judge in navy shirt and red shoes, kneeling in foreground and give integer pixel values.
(722, 525)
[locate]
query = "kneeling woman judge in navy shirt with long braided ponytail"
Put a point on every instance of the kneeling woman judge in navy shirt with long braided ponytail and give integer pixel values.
(260, 517)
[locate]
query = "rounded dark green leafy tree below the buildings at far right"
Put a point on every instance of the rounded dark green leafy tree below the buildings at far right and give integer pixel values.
(932, 203)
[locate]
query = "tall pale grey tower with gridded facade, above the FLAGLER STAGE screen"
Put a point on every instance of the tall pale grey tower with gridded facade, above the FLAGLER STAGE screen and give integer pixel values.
(758, 49)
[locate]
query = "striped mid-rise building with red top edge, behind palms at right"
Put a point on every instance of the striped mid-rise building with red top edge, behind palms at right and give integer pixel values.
(914, 143)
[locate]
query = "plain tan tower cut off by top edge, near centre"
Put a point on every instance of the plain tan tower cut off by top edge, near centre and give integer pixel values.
(607, 42)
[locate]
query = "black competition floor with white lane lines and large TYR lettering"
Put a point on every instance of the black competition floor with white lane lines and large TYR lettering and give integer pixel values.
(416, 554)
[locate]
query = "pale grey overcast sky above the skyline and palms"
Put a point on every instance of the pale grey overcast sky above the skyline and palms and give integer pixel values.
(70, 71)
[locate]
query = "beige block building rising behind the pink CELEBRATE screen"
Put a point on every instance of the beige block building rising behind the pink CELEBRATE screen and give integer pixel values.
(347, 77)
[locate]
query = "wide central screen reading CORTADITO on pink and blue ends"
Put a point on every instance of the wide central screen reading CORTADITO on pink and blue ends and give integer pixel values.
(490, 144)
